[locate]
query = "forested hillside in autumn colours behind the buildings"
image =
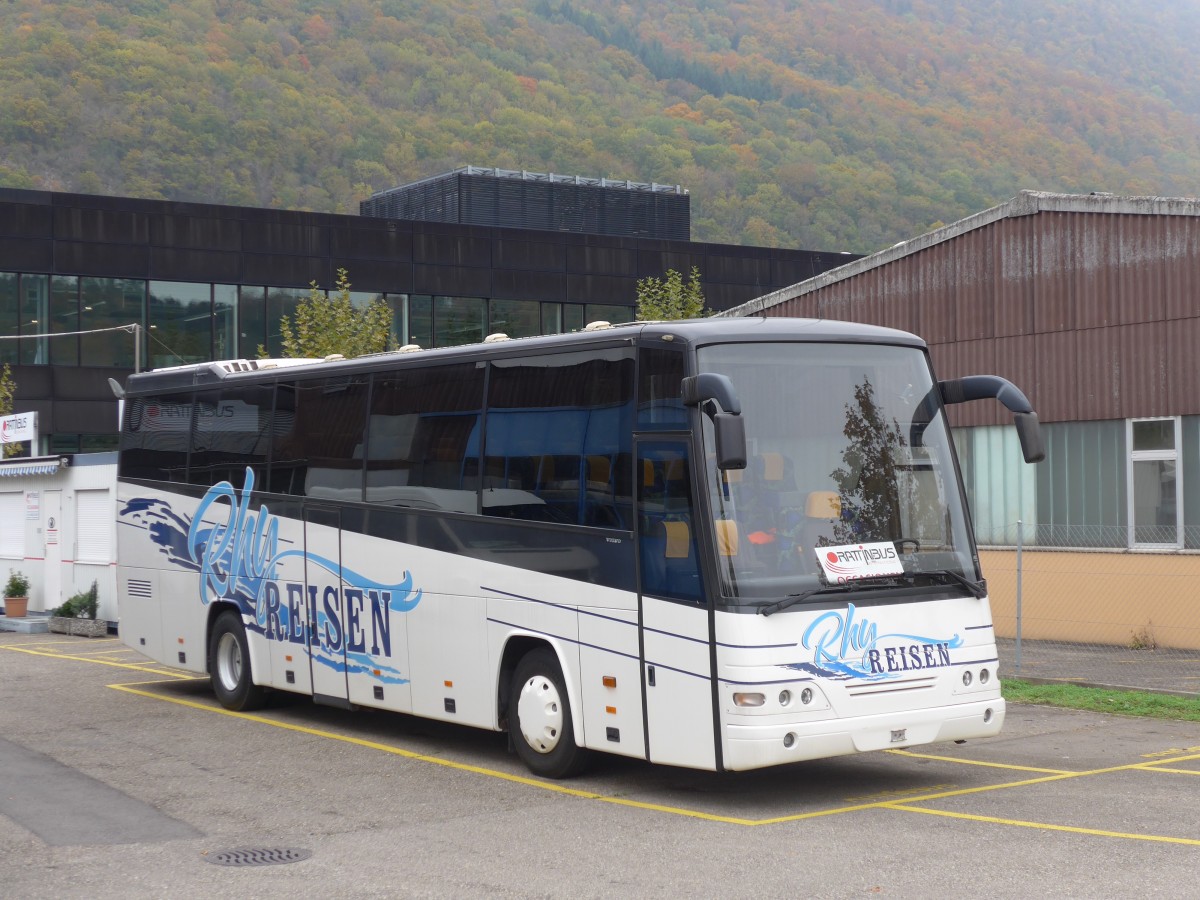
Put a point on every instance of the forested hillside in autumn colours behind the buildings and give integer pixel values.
(820, 124)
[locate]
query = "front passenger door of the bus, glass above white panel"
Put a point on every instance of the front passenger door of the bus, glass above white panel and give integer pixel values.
(676, 658)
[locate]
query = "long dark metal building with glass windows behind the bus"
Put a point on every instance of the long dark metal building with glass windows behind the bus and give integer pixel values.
(224, 277)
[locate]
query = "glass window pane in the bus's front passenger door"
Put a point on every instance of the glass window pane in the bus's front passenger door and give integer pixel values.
(670, 563)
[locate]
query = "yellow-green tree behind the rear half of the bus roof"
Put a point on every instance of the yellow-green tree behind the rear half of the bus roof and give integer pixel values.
(326, 326)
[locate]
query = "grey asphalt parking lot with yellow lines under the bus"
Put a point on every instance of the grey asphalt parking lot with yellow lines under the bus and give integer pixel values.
(122, 778)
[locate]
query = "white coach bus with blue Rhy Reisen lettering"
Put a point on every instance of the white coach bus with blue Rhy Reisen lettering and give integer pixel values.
(718, 544)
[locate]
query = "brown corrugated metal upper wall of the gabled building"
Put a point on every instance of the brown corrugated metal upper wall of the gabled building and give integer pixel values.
(1094, 315)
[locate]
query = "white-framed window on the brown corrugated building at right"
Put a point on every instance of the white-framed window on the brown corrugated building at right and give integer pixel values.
(1156, 484)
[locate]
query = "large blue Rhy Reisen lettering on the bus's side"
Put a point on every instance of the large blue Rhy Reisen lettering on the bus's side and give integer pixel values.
(238, 560)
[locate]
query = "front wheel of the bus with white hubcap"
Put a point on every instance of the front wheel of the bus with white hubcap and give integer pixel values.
(541, 718)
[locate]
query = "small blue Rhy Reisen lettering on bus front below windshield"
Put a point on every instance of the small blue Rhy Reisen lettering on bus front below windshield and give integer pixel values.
(843, 641)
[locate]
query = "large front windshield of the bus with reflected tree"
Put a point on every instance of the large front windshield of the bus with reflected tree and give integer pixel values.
(847, 446)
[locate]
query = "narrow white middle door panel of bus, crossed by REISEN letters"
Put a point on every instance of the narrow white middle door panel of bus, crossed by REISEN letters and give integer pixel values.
(327, 604)
